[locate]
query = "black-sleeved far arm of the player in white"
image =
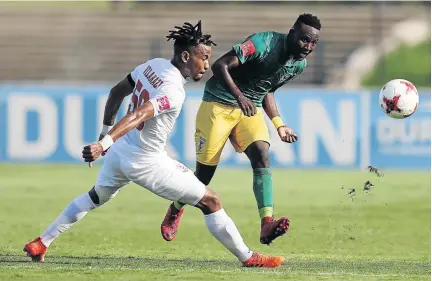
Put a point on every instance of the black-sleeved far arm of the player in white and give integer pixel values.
(115, 99)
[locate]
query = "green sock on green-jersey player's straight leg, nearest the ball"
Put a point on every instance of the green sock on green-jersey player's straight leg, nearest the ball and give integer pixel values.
(263, 190)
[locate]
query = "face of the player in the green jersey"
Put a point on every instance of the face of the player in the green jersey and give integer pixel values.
(304, 40)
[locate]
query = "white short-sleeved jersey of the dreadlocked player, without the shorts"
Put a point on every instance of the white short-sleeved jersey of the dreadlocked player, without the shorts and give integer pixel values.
(161, 83)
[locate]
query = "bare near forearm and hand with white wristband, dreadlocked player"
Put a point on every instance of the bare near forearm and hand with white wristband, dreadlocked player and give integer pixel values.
(130, 121)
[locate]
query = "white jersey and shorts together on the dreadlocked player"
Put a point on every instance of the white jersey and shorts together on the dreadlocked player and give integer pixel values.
(140, 156)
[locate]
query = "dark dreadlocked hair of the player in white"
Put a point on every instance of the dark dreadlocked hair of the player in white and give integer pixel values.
(189, 35)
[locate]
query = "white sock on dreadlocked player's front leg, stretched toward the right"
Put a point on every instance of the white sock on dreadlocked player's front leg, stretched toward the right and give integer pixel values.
(223, 229)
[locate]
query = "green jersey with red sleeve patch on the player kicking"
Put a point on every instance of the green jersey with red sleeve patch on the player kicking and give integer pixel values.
(263, 68)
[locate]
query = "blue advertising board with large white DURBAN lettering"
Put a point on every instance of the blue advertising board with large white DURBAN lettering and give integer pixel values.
(336, 129)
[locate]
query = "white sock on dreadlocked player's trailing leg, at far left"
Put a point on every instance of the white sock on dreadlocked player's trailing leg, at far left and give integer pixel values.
(76, 210)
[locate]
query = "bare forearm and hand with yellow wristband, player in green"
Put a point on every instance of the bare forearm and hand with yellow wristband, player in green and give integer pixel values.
(285, 133)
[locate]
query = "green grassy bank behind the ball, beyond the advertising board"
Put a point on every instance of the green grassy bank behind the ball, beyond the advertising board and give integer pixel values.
(407, 62)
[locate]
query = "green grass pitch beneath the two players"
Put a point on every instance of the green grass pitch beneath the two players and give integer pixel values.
(380, 235)
